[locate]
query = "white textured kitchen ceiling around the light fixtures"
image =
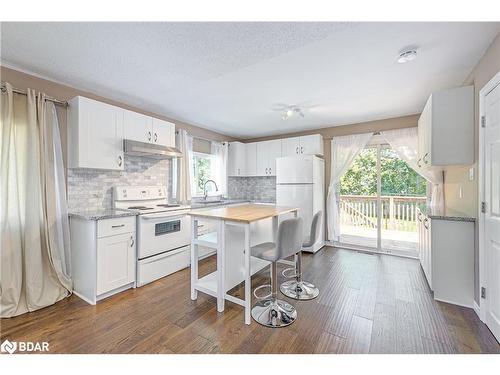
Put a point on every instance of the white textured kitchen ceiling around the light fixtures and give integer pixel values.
(229, 77)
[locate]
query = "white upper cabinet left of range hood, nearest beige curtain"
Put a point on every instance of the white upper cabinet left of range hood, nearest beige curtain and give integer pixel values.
(95, 135)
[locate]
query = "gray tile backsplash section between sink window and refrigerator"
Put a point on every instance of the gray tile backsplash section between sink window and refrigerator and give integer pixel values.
(260, 189)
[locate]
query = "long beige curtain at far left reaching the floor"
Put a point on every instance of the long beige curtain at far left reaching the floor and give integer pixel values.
(34, 269)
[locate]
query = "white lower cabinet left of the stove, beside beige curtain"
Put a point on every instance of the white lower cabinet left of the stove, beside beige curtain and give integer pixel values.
(103, 256)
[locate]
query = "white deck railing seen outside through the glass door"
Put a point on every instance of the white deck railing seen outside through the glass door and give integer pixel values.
(398, 212)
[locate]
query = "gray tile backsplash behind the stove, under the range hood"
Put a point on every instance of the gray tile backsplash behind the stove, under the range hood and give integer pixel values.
(90, 189)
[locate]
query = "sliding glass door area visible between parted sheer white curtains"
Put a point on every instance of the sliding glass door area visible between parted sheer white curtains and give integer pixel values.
(378, 199)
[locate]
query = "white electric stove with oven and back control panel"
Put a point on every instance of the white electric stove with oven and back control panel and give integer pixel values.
(163, 230)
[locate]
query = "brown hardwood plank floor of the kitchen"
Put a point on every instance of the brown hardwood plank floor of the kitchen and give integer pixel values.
(367, 304)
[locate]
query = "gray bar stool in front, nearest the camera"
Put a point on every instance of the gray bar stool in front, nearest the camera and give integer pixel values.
(270, 311)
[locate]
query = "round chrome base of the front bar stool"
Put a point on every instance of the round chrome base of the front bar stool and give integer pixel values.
(274, 313)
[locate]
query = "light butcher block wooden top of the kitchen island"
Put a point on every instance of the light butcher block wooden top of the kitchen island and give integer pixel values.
(245, 213)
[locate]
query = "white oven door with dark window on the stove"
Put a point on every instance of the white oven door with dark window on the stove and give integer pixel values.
(162, 232)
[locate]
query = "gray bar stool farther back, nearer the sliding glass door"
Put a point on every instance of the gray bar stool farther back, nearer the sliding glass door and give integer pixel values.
(298, 289)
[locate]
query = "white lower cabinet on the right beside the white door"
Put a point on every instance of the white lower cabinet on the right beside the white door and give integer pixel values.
(446, 253)
